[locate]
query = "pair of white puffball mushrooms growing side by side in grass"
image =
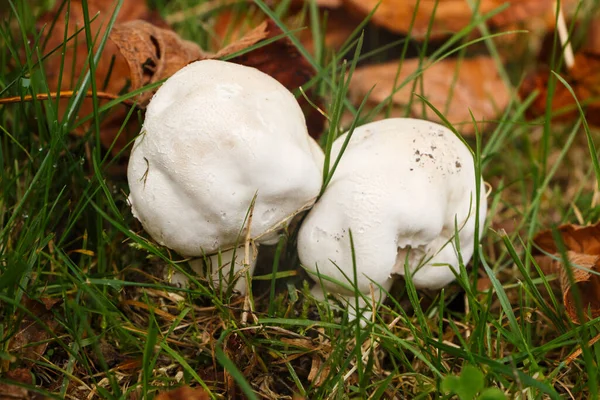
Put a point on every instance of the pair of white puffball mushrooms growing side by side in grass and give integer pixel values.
(221, 141)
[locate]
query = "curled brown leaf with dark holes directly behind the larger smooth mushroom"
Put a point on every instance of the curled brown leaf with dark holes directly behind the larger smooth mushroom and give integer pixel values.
(154, 54)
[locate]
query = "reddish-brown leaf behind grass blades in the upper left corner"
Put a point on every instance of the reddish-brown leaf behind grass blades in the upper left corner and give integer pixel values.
(112, 72)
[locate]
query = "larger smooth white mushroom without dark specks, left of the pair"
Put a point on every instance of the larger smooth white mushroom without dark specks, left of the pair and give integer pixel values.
(215, 135)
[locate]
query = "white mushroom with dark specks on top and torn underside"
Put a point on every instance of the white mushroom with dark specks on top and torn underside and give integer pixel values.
(403, 187)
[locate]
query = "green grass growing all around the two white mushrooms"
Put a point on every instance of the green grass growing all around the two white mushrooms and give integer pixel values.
(119, 331)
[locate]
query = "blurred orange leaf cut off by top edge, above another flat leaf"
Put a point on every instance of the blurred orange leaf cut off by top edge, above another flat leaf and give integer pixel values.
(450, 15)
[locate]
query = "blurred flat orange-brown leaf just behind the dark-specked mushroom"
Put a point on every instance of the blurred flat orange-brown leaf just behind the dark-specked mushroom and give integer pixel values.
(471, 84)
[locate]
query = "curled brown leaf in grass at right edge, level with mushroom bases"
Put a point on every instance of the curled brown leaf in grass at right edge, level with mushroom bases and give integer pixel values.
(583, 252)
